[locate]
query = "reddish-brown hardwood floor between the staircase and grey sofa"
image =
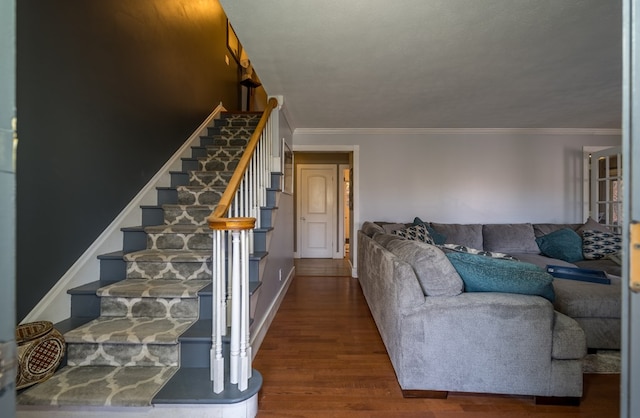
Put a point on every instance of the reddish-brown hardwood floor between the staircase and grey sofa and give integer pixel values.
(323, 357)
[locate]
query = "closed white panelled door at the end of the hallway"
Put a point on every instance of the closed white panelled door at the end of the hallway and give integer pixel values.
(316, 210)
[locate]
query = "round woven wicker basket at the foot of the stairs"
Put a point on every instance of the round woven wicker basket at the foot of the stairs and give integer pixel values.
(40, 350)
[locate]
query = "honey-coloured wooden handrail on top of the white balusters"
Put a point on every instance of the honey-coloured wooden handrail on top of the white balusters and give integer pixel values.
(218, 219)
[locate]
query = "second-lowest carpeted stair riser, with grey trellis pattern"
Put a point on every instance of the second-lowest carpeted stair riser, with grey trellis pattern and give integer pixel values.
(149, 307)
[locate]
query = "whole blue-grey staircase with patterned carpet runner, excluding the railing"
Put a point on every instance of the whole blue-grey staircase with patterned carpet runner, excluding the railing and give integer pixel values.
(141, 336)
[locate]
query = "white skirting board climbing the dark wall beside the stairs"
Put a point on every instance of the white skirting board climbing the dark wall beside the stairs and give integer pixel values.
(55, 306)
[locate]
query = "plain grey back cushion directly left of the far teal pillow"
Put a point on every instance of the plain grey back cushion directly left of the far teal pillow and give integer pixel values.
(509, 238)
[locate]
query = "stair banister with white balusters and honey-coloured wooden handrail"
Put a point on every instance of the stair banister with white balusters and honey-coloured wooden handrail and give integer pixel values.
(233, 243)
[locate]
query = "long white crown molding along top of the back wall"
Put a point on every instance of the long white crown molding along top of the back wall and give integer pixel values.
(458, 131)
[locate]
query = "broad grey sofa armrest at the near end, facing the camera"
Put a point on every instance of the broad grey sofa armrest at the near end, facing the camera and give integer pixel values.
(475, 342)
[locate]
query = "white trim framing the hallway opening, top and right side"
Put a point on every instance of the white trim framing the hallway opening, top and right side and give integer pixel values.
(355, 185)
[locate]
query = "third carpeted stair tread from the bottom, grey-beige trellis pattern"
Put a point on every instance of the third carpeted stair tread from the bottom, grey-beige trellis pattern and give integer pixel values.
(154, 288)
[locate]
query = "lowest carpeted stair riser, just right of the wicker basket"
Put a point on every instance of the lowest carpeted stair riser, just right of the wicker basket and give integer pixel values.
(105, 354)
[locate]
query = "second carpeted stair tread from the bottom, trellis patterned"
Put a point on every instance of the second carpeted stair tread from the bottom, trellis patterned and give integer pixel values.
(129, 330)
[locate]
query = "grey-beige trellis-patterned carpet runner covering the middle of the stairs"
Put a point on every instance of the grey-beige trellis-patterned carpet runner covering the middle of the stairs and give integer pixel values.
(127, 354)
